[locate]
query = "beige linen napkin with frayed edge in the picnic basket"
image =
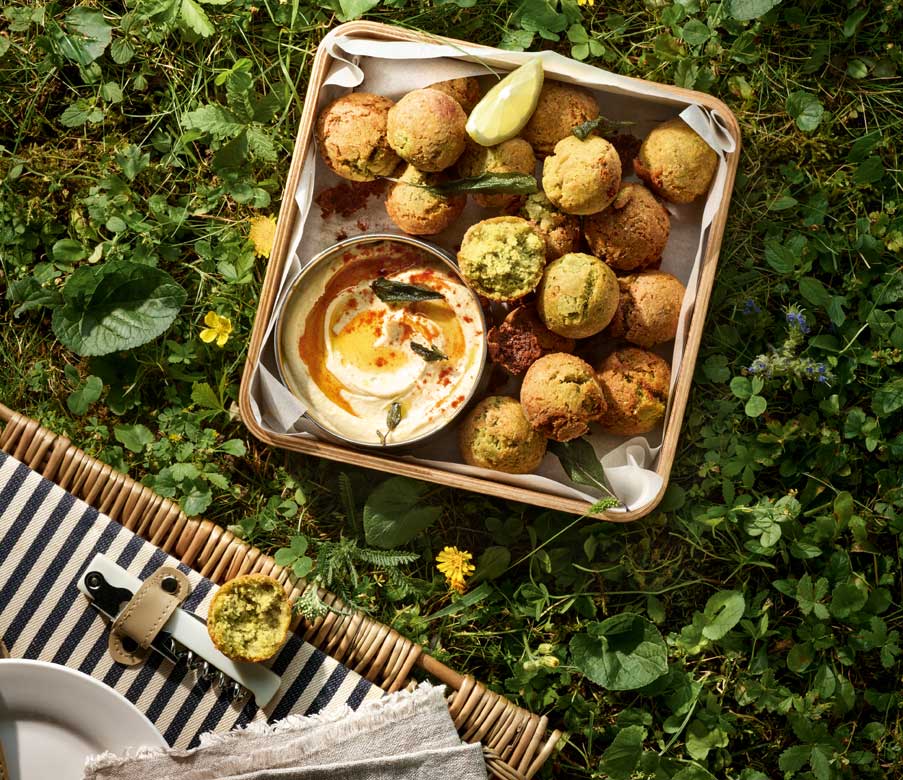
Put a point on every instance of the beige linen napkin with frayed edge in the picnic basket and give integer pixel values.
(403, 736)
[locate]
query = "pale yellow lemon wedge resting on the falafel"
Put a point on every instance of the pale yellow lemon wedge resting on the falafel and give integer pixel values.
(508, 106)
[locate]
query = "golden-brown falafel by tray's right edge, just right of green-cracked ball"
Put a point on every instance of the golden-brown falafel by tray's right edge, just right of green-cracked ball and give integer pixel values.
(648, 309)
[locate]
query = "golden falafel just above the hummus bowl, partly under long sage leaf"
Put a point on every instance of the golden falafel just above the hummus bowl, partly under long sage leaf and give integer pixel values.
(418, 210)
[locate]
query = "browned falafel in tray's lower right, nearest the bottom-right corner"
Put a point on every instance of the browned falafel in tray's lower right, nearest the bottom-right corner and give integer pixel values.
(636, 385)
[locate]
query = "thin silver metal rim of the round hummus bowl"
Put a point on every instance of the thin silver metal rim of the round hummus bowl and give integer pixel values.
(297, 284)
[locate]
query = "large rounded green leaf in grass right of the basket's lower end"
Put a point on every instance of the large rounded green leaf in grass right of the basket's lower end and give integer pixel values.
(622, 653)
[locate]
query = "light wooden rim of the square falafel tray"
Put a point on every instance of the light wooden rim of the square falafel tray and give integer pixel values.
(286, 225)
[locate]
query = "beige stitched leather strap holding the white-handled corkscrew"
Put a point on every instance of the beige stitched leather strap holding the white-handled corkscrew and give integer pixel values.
(146, 613)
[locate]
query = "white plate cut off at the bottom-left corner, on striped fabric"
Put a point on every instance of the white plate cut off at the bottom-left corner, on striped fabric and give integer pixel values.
(52, 718)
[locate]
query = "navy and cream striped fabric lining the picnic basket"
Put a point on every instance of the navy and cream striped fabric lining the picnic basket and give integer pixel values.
(47, 537)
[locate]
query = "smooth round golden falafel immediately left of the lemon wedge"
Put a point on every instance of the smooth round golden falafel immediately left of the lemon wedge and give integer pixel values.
(426, 128)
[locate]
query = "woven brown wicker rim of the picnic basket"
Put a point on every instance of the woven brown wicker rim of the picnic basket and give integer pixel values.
(516, 742)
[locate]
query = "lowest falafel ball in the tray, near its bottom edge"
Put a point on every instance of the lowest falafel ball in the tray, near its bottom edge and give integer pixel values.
(496, 435)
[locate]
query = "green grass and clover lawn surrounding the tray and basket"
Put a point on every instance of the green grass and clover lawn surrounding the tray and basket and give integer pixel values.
(769, 581)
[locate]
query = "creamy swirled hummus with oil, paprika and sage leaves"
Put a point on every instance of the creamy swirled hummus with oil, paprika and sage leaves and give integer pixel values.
(348, 355)
